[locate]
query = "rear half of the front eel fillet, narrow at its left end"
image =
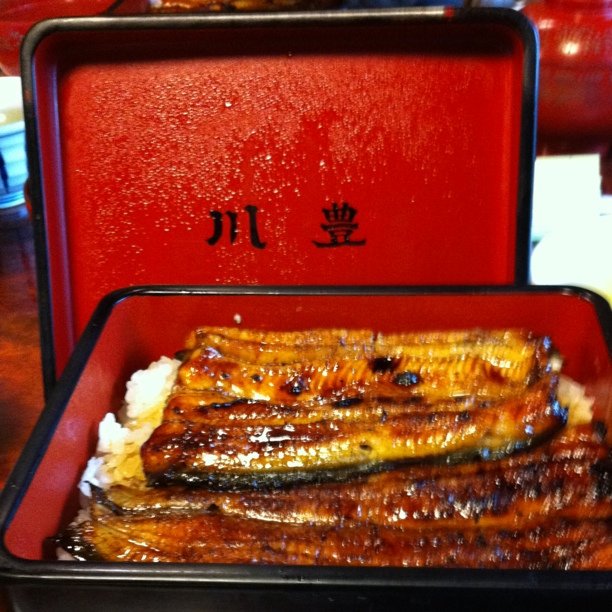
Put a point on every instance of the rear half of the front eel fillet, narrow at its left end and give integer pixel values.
(570, 477)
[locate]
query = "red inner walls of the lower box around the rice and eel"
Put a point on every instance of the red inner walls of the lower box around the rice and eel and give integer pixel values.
(142, 326)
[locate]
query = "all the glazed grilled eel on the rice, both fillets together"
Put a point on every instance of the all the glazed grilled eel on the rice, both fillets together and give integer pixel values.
(473, 467)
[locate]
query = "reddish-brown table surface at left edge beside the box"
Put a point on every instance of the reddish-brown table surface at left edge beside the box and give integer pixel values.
(21, 392)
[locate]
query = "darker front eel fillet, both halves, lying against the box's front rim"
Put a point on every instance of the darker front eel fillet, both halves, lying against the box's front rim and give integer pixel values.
(550, 507)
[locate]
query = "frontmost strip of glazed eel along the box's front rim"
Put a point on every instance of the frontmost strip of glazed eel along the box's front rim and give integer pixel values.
(215, 538)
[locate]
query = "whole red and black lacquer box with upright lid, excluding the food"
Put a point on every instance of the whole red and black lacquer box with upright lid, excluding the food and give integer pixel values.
(345, 169)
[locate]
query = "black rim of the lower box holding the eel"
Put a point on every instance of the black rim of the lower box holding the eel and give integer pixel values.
(14, 570)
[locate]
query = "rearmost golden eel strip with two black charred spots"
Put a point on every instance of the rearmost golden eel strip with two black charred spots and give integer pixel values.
(291, 367)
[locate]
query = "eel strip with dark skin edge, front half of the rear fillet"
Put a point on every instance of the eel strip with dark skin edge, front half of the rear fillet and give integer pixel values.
(340, 444)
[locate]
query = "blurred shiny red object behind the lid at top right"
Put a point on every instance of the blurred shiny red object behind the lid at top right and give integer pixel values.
(575, 93)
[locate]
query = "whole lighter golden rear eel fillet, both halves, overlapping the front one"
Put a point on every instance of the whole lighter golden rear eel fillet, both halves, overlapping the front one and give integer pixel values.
(268, 409)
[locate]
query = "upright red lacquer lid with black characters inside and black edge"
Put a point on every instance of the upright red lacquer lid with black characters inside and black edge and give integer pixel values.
(366, 147)
